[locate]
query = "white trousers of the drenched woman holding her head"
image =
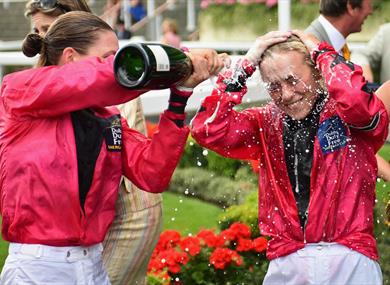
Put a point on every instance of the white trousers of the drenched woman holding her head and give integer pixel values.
(324, 263)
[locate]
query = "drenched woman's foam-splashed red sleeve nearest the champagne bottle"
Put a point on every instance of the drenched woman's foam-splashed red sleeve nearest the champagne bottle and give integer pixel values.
(219, 127)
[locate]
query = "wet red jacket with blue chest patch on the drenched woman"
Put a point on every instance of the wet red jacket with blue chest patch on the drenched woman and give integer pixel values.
(352, 127)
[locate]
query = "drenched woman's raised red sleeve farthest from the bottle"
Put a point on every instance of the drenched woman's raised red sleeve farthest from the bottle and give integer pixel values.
(356, 105)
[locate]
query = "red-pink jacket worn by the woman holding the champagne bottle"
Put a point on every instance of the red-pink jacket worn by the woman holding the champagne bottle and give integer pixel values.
(62, 153)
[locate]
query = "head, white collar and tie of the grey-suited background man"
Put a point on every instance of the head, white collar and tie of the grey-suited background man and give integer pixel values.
(338, 19)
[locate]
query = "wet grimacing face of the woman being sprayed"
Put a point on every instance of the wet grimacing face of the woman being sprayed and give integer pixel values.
(290, 83)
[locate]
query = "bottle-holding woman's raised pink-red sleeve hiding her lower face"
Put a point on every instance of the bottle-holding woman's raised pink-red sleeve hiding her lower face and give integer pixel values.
(56, 90)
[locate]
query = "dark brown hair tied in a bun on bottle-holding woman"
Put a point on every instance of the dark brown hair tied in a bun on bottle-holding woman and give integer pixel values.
(79, 30)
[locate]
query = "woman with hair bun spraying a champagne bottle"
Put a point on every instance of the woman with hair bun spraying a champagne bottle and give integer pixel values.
(63, 152)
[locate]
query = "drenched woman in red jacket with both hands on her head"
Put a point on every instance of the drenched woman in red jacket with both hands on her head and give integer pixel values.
(315, 143)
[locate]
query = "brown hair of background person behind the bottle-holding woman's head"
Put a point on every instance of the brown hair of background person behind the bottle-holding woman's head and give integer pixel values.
(62, 7)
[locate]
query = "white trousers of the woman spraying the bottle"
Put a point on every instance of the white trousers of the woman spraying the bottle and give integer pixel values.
(36, 264)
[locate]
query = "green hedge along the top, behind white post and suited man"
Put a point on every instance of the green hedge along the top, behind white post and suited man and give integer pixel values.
(256, 19)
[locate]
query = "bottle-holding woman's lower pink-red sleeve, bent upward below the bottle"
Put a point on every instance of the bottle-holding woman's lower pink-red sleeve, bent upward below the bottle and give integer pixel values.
(150, 163)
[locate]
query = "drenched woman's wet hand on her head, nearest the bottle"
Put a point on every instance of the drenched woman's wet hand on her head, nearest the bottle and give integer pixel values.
(255, 53)
